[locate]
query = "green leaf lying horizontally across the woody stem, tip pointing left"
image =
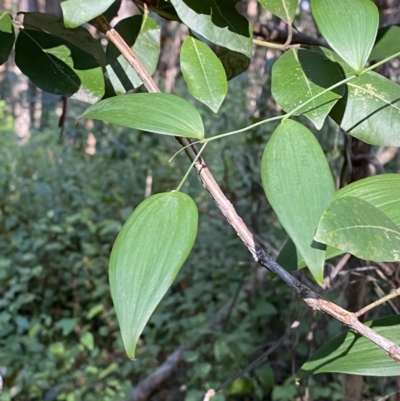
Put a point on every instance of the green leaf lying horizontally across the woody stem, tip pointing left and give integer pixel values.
(161, 113)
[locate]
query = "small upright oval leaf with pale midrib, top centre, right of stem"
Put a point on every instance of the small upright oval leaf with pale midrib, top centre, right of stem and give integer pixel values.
(203, 72)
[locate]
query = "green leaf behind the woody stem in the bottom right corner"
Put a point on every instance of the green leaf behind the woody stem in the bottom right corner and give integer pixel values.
(351, 353)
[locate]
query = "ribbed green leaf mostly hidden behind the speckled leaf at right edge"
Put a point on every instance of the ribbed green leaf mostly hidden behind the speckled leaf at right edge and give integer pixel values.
(381, 191)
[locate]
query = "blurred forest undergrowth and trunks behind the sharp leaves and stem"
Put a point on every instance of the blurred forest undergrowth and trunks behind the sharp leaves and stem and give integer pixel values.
(63, 199)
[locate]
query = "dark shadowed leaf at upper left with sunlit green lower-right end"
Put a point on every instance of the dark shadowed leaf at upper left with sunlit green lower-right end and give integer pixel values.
(60, 66)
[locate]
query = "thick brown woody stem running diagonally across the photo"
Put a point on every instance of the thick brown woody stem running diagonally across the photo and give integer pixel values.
(313, 300)
